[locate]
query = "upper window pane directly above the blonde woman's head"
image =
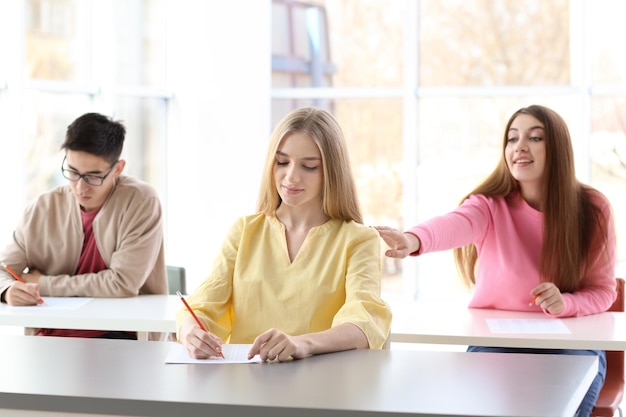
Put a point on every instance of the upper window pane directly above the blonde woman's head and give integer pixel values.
(343, 43)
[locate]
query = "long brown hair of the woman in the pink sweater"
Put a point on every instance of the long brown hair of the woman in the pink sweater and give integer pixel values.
(571, 219)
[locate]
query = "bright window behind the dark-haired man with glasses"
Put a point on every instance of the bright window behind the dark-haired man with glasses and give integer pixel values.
(82, 56)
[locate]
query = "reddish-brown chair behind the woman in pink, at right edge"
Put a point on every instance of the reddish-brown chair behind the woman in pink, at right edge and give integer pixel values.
(612, 392)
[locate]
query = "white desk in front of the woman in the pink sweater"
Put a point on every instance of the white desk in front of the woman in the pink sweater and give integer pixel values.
(455, 324)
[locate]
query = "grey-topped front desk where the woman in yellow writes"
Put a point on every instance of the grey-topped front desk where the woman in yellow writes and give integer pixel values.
(130, 378)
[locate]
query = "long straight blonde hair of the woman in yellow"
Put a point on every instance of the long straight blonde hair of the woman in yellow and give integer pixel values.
(339, 197)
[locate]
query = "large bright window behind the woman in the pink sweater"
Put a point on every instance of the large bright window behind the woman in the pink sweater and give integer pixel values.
(423, 90)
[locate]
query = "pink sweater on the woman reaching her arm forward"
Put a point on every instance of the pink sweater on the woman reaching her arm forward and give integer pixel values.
(508, 234)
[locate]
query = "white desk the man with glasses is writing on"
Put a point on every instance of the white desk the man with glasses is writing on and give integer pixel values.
(145, 313)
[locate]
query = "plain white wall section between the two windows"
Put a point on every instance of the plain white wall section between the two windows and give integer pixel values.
(219, 124)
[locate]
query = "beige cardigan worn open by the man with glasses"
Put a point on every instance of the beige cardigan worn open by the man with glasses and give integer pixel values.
(128, 231)
